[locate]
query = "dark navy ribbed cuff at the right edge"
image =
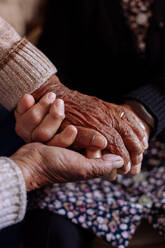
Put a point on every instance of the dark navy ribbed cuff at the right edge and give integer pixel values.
(153, 99)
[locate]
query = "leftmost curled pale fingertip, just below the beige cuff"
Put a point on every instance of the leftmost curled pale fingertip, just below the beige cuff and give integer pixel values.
(25, 104)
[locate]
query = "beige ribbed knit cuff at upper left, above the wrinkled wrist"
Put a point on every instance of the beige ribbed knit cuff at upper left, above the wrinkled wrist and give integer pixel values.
(22, 70)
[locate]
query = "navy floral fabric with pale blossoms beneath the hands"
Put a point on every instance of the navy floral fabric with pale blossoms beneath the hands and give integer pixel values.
(113, 210)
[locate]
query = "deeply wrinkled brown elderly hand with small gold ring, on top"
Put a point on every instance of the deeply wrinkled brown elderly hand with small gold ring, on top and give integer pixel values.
(126, 133)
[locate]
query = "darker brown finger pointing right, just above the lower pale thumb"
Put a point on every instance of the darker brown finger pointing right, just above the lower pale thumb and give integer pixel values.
(88, 137)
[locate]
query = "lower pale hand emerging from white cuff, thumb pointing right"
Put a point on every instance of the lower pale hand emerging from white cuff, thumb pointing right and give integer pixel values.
(42, 164)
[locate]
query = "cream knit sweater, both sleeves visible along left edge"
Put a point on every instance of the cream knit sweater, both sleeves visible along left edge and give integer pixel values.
(23, 69)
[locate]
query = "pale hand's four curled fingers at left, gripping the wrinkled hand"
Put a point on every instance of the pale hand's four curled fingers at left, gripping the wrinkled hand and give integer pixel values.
(40, 121)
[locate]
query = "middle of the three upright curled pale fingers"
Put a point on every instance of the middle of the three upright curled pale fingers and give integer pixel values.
(32, 118)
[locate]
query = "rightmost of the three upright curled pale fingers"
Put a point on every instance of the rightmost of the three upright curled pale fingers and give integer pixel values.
(51, 123)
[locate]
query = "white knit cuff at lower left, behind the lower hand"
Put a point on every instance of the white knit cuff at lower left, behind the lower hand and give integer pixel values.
(12, 193)
